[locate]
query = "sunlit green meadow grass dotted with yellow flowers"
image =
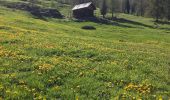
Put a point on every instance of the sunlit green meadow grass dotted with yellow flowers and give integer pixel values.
(57, 59)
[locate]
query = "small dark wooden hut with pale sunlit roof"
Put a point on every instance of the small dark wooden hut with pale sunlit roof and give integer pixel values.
(84, 10)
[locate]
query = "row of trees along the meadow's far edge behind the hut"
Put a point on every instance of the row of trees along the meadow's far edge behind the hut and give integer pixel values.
(158, 9)
